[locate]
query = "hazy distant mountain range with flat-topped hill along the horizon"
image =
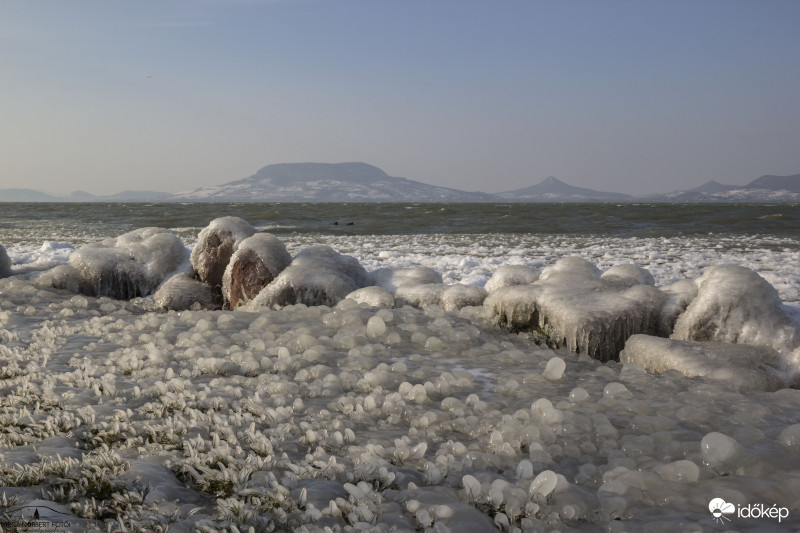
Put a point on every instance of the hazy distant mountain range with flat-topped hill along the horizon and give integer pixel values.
(360, 182)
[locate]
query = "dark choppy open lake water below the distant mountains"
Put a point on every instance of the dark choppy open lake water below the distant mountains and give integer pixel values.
(70, 221)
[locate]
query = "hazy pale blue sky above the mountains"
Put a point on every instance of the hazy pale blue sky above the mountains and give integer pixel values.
(631, 96)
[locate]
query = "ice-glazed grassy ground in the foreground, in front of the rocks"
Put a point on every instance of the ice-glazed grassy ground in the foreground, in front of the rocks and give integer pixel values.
(355, 418)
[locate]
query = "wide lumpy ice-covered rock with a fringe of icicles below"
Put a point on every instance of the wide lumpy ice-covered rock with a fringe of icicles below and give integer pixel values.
(572, 306)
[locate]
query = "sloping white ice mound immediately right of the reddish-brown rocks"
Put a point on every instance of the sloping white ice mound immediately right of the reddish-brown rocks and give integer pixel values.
(319, 275)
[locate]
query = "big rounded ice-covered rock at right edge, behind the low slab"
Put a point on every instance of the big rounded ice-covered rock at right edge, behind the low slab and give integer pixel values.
(736, 305)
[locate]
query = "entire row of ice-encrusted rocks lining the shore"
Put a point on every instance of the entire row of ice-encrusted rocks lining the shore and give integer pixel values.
(570, 304)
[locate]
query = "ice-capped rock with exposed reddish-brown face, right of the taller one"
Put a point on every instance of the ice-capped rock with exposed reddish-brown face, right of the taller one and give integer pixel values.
(257, 261)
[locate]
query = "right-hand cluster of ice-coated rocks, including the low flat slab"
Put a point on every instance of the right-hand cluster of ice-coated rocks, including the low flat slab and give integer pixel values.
(573, 305)
